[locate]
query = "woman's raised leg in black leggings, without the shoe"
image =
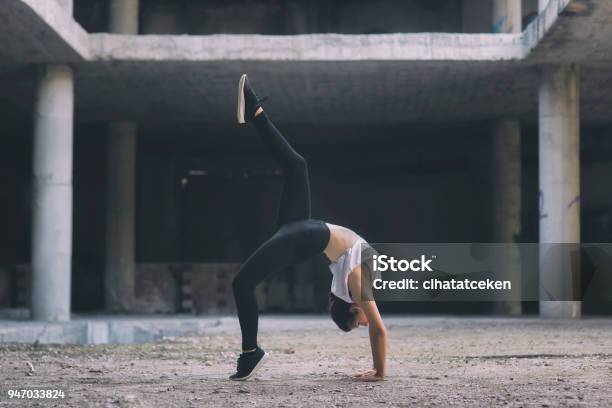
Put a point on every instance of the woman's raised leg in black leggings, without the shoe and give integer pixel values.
(295, 200)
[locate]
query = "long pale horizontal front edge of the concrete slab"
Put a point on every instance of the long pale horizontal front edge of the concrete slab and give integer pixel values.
(309, 47)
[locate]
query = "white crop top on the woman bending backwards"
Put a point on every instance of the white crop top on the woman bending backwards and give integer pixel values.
(344, 266)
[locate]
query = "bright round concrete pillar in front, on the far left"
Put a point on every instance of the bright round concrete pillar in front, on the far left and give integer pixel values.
(52, 194)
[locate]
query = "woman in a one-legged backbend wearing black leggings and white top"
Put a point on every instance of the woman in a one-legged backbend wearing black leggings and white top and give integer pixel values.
(298, 238)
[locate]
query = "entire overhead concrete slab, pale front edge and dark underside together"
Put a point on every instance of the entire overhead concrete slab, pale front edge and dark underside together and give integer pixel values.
(325, 78)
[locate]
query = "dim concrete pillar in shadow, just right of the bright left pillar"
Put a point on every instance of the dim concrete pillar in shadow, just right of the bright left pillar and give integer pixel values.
(120, 270)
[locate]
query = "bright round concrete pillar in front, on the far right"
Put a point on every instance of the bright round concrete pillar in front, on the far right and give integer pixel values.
(559, 161)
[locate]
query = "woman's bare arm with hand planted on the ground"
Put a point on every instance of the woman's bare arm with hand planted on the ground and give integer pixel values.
(376, 327)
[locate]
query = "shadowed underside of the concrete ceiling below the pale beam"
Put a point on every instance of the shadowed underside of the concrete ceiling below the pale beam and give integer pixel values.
(308, 92)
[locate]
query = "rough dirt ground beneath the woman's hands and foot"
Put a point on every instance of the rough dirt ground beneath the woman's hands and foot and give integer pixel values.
(431, 362)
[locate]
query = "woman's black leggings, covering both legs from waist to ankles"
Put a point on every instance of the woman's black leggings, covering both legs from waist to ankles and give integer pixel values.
(298, 237)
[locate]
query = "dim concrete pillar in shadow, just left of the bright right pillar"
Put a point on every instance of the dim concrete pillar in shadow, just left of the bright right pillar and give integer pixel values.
(507, 204)
